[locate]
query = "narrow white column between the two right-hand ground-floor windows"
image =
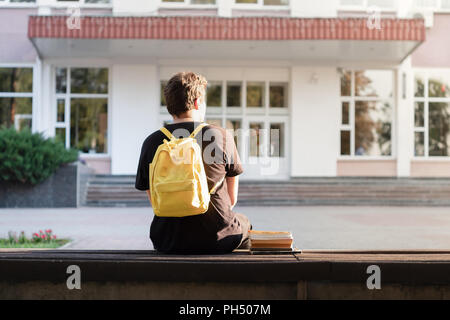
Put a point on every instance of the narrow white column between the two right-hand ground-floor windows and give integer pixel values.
(405, 118)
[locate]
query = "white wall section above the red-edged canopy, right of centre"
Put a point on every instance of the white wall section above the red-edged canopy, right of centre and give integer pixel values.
(314, 9)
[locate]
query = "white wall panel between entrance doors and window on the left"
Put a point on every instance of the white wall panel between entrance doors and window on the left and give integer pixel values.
(135, 113)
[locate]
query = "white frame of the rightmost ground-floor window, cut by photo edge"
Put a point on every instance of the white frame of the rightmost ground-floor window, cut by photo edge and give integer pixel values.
(426, 72)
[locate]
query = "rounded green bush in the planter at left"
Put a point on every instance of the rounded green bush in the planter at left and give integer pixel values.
(30, 157)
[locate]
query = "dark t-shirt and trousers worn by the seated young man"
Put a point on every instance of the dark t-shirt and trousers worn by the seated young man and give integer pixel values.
(216, 231)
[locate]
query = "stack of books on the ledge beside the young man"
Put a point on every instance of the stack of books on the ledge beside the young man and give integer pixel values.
(271, 240)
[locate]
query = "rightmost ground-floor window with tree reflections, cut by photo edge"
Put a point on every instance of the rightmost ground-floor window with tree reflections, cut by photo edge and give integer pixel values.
(432, 114)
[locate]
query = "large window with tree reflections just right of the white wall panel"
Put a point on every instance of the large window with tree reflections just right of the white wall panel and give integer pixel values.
(366, 110)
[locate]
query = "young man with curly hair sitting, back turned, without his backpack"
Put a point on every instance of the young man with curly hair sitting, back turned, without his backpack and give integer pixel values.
(219, 229)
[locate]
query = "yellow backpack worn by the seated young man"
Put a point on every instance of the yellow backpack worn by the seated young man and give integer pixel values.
(177, 177)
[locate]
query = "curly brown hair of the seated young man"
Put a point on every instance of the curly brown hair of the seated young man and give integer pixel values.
(182, 90)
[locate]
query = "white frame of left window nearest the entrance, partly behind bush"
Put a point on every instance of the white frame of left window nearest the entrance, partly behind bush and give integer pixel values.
(67, 96)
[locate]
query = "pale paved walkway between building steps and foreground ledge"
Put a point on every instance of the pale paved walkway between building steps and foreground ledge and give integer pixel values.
(313, 227)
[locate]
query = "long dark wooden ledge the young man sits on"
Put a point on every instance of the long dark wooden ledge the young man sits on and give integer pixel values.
(149, 275)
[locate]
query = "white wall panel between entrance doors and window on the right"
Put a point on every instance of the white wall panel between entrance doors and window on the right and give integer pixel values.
(315, 121)
